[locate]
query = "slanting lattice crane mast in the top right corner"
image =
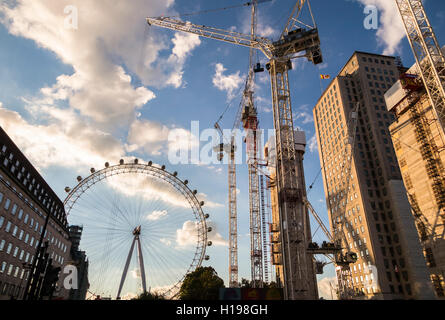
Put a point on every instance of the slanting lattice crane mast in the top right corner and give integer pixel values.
(427, 52)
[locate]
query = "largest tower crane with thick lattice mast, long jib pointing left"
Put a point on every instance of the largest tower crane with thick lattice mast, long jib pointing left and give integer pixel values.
(298, 40)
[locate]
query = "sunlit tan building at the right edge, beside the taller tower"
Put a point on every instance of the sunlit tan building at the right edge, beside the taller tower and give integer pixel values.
(419, 141)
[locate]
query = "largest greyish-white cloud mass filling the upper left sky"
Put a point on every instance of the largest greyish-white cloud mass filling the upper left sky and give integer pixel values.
(110, 34)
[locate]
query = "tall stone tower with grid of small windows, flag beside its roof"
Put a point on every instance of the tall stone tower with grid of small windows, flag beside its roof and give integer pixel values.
(367, 204)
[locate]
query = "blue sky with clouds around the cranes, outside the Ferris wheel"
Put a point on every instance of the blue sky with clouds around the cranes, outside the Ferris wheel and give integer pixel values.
(114, 87)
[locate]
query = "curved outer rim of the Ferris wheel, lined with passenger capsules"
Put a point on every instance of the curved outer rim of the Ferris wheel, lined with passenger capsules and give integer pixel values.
(161, 174)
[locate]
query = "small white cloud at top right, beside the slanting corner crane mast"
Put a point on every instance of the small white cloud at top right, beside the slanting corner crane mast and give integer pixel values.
(391, 30)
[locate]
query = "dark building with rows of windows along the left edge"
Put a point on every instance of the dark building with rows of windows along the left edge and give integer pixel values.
(25, 200)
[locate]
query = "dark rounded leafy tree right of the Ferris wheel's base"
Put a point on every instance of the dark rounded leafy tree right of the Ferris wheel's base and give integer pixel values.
(202, 284)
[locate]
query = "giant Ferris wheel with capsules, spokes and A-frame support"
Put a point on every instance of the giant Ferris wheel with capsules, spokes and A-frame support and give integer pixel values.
(144, 229)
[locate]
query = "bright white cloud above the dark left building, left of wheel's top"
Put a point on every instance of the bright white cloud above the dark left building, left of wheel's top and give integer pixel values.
(64, 141)
